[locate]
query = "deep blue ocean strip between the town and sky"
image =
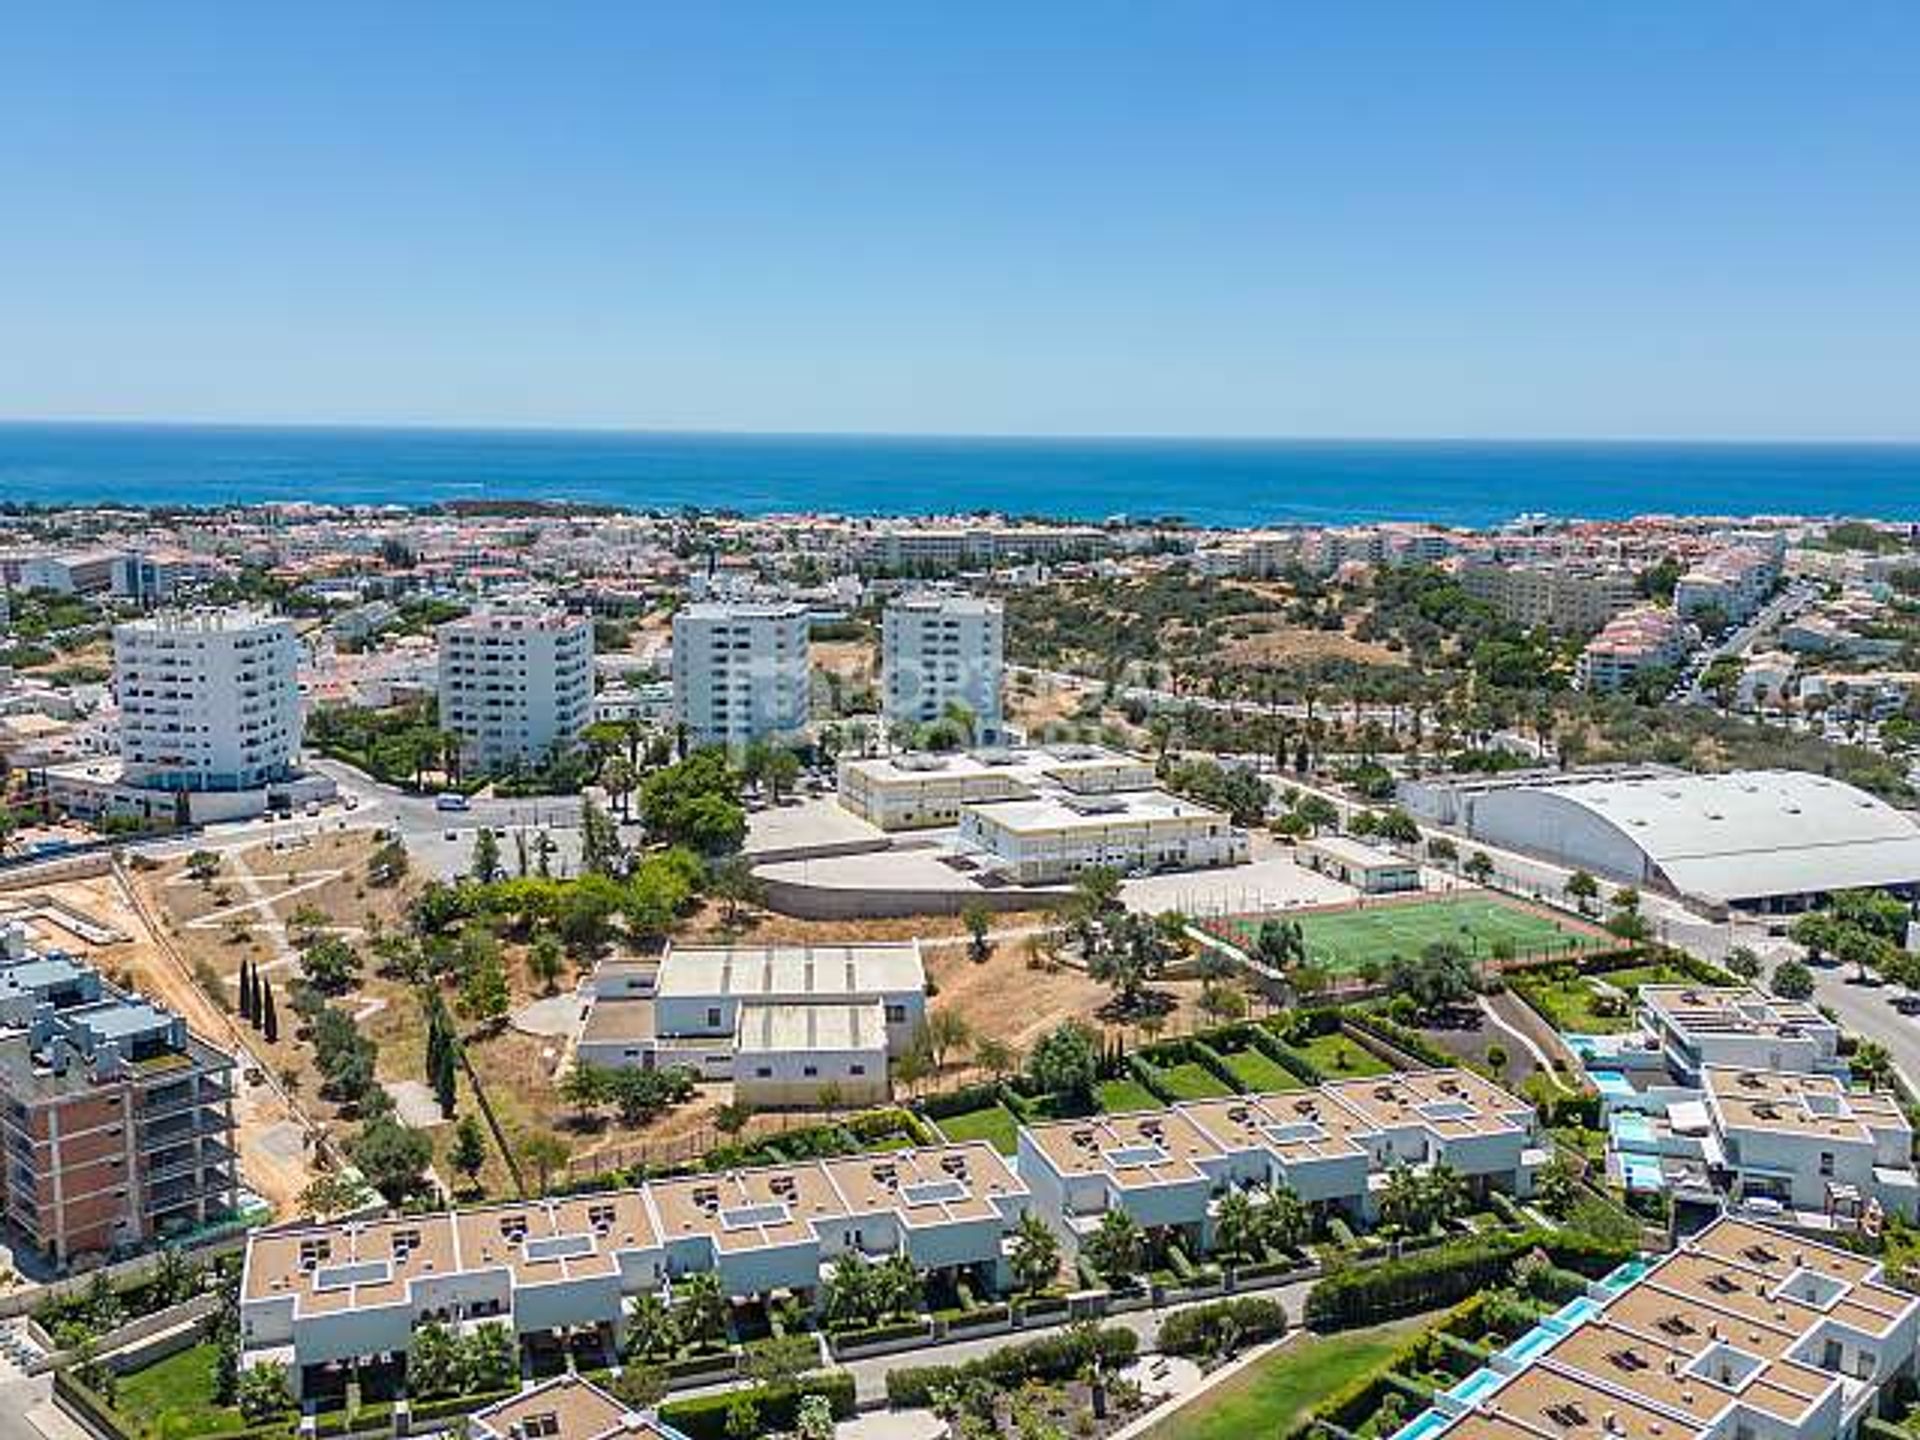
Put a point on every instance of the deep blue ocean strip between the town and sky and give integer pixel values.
(1209, 483)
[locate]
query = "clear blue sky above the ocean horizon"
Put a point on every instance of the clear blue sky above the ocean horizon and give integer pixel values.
(1320, 220)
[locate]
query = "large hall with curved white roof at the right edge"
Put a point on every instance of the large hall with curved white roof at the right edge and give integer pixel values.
(1742, 836)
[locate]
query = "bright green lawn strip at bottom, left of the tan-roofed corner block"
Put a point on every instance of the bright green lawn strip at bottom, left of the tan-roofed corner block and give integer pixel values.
(1278, 1393)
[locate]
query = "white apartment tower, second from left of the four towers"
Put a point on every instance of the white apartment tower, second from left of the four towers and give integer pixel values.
(516, 684)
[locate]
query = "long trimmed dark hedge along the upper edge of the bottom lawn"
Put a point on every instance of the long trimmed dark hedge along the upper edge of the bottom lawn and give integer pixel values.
(1447, 1274)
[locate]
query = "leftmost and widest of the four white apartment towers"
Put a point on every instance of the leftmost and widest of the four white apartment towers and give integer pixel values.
(208, 700)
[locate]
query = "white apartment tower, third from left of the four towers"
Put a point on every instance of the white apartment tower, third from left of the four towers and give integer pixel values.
(742, 671)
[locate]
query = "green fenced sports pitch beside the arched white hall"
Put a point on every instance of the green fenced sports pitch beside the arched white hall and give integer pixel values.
(1380, 930)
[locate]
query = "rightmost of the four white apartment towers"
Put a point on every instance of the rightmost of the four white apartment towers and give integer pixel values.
(944, 650)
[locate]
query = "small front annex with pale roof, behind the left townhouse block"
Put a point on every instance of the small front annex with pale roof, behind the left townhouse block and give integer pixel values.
(798, 1055)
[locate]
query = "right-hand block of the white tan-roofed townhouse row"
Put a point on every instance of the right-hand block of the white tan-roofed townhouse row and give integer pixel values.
(1333, 1147)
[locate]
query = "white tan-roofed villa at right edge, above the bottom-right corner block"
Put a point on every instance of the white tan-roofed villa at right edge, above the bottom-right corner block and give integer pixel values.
(1812, 1143)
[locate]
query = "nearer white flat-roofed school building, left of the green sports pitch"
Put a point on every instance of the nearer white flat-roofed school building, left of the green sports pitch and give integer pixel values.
(1059, 836)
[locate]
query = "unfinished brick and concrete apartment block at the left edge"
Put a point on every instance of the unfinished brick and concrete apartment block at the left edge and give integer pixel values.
(118, 1122)
